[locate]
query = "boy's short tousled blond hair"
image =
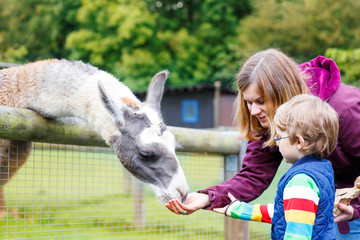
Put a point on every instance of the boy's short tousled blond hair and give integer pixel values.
(311, 118)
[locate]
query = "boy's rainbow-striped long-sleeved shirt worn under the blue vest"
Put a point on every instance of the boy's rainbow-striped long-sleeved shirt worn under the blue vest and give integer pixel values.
(301, 198)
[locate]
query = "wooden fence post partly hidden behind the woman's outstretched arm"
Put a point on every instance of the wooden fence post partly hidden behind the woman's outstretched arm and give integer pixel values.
(235, 228)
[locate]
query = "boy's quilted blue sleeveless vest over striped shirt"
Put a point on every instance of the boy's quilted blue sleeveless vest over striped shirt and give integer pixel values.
(322, 173)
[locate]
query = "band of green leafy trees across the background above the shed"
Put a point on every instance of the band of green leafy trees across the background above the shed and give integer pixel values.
(198, 41)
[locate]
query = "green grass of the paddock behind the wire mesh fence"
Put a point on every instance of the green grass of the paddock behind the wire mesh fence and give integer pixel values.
(80, 194)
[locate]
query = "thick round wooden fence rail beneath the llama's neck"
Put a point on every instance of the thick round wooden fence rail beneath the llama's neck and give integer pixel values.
(27, 125)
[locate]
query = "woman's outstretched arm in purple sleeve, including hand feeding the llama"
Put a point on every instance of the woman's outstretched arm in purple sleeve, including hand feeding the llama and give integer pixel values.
(259, 168)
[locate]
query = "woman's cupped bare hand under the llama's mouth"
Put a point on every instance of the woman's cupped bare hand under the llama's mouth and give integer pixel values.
(194, 202)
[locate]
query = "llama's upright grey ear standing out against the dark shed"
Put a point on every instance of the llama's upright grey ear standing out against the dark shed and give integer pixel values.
(156, 90)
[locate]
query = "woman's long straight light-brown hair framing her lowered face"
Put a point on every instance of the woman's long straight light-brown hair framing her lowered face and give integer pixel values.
(277, 78)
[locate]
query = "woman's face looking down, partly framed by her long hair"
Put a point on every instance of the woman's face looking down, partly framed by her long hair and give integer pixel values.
(256, 104)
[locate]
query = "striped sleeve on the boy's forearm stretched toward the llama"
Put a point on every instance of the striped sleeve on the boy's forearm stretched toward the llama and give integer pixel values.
(249, 212)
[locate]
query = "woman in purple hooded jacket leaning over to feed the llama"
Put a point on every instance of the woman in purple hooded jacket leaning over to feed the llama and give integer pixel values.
(268, 79)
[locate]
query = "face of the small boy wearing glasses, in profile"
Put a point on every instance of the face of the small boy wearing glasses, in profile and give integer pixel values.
(289, 151)
